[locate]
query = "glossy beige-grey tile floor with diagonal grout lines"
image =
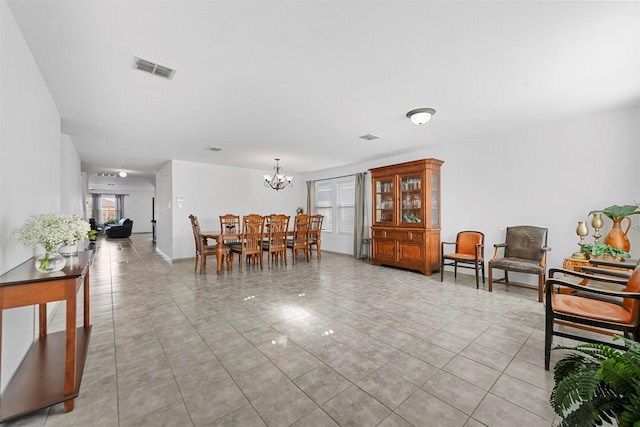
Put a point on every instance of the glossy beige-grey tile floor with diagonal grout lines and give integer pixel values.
(336, 342)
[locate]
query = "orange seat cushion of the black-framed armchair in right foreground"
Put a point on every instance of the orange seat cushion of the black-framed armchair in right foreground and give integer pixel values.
(590, 308)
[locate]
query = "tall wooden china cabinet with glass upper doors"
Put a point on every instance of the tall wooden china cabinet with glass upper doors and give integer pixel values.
(406, 215)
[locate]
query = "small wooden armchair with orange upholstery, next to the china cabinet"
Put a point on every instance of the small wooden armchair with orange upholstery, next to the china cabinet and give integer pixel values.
(468, 252)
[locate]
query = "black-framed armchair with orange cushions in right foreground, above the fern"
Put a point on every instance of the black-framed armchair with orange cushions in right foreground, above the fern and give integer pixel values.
(590, 305)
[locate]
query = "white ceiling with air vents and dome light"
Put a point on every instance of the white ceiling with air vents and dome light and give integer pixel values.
(302, 80)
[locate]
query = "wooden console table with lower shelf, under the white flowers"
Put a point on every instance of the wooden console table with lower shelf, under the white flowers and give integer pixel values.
(52, 370)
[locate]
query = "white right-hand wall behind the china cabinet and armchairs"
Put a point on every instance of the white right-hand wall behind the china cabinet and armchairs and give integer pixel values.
(550, 176)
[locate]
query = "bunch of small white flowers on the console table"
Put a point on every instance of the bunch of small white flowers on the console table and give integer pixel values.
(52, 230)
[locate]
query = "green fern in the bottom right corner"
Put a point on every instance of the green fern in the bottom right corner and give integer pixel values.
(597, 383)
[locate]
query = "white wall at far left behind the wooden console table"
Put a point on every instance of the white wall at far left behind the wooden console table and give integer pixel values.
(36, 167)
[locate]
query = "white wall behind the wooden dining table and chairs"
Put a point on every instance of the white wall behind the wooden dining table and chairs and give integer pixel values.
(208, 191)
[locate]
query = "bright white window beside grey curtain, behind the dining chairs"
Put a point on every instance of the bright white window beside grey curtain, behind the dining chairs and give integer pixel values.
(335, 198)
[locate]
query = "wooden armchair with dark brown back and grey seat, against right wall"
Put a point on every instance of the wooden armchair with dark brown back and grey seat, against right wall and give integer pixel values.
(524, 251)
